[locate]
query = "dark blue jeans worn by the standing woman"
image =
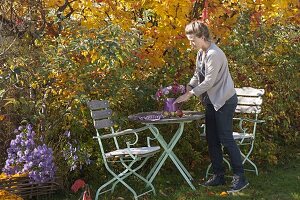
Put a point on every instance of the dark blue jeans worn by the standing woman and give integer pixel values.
(219, 132)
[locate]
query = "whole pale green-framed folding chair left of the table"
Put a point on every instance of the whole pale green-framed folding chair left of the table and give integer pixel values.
(130, 158)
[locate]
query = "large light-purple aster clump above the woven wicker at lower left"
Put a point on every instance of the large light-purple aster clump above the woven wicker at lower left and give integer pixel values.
(24, 156)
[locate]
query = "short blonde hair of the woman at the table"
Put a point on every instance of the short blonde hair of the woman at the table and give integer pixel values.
(198, 29)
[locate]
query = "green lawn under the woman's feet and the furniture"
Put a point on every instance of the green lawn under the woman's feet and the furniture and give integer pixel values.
(280, 182)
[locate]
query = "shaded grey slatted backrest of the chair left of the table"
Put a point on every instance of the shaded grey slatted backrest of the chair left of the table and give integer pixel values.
(100, 113)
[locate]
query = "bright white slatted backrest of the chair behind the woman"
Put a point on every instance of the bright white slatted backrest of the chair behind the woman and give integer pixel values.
(249, 100)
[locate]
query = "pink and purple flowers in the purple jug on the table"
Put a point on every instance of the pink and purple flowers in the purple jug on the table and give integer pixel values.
(172, 91)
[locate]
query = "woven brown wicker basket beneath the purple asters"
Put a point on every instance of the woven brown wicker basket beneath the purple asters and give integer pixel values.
(23, 187)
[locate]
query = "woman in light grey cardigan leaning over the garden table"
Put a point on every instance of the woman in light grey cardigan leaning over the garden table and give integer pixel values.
(212, 81)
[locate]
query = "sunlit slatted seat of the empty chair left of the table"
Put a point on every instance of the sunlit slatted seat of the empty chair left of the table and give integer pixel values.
(140, 151)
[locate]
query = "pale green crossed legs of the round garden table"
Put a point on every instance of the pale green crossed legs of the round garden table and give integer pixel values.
(169, 153)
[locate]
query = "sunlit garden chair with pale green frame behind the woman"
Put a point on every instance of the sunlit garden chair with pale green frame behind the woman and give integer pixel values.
(246, 117)
